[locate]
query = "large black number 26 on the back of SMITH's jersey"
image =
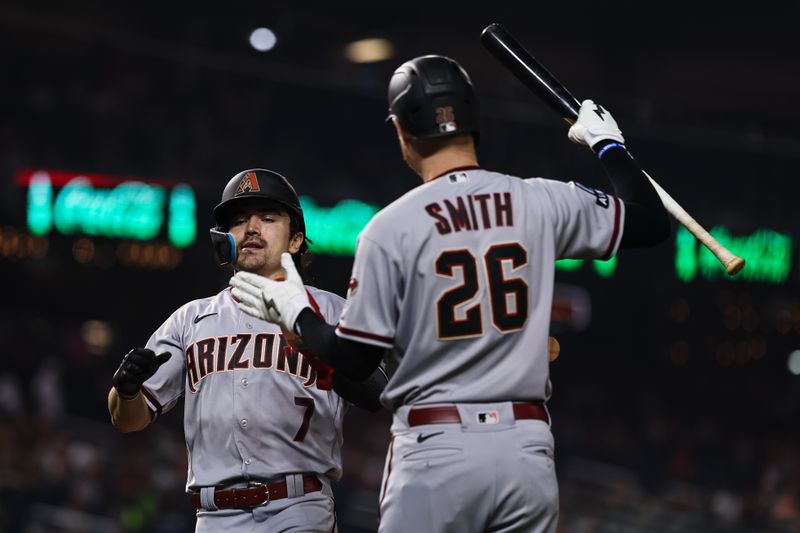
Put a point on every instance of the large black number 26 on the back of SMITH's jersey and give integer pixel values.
(508, 297)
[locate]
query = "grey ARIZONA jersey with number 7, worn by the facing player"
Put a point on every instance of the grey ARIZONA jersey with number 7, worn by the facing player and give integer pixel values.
(252, 409)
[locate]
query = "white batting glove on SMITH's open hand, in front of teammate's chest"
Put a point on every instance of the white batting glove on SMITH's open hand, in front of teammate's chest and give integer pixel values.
(279, 302)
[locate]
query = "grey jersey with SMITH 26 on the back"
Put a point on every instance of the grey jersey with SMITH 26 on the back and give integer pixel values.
(456, 279)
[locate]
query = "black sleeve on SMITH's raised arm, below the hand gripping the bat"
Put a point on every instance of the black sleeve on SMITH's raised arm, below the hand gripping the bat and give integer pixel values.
(646, 220)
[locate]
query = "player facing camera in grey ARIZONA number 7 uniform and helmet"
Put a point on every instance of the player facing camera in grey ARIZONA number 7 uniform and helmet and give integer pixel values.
(263, 422)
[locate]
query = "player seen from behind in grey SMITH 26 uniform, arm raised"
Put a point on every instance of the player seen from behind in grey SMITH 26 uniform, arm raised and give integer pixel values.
(452, 283)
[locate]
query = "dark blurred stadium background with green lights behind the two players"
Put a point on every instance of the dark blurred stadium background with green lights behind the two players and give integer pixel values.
(677, 395)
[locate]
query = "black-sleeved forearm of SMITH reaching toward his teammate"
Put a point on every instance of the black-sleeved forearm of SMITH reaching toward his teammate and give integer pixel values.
(353, 359)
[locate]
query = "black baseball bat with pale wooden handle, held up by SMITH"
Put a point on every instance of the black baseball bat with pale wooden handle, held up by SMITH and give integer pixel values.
(506, 49)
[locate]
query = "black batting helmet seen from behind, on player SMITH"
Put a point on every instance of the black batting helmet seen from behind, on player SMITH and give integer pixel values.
(432, 96)
